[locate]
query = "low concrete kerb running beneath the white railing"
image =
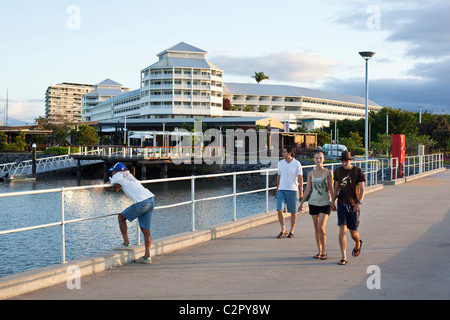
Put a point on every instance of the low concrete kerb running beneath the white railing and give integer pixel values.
(33, 280)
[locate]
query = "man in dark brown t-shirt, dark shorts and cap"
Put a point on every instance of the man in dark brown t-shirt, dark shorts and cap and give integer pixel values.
(349, 191)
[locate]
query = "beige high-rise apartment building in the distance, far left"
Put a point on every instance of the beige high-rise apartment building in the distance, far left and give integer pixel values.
(63, 102)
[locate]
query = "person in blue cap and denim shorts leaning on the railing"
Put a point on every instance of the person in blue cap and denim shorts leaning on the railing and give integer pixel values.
(142, 208)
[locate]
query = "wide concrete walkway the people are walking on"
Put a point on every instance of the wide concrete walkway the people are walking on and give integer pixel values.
(405, 233)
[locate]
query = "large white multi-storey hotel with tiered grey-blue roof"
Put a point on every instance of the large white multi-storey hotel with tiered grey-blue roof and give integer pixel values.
(184, 84)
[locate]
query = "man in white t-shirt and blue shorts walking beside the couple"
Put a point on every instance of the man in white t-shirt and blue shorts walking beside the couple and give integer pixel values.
(289, 183)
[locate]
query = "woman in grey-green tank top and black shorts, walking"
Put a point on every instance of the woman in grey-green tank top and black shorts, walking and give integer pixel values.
(320, 182)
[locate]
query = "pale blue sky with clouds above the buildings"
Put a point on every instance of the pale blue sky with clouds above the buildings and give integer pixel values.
(311, 43)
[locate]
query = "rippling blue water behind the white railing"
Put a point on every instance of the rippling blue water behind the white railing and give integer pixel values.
(42, 247)
